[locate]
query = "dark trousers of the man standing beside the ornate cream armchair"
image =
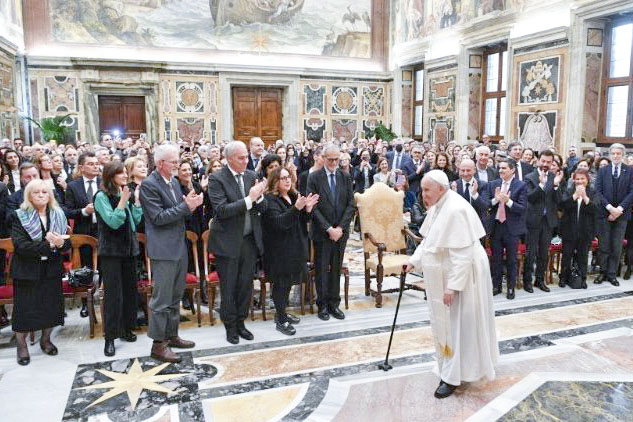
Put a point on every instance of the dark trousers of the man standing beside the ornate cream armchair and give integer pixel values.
(328, 258)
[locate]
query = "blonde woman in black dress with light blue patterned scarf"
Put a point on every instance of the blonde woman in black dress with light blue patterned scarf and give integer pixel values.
(38, 231)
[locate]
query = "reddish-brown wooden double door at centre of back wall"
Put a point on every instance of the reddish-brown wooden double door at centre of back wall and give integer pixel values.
(257, 112)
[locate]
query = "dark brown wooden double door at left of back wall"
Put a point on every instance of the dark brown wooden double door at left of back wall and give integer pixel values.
(123, 113)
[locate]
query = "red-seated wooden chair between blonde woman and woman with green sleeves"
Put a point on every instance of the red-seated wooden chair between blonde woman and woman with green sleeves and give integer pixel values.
(77, 241)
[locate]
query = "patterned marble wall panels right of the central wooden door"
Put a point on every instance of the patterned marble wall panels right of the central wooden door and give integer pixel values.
(341, 110)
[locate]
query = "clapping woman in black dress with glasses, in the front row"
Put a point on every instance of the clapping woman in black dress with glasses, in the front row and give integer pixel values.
(284, 226)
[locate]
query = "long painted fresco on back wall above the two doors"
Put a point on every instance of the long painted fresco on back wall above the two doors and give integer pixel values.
(313, 27)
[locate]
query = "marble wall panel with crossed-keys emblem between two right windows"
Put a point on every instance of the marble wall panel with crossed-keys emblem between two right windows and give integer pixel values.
(537, 114)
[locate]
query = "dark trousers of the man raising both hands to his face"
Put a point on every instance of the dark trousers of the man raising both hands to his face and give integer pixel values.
(537, 243)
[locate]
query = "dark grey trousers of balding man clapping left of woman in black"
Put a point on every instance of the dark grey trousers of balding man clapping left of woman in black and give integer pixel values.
(236, 283)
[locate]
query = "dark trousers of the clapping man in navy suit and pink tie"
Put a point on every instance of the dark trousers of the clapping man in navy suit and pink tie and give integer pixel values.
(502, 238)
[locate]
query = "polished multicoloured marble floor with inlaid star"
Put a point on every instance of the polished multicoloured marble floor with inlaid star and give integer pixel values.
(566, 356)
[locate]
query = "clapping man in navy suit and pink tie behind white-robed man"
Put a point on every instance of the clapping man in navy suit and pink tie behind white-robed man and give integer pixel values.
(507, 224)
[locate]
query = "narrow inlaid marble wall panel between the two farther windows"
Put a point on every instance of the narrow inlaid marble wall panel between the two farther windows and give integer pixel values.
(440, 106)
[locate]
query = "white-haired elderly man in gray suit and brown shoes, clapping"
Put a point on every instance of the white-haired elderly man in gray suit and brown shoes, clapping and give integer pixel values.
(165, 212)
